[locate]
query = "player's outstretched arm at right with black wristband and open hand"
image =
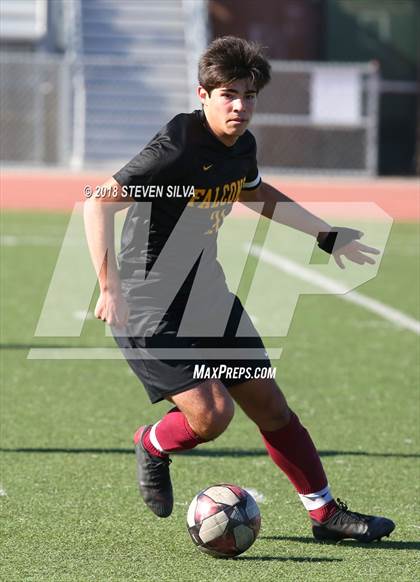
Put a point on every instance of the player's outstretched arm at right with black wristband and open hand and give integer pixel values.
(338, 241)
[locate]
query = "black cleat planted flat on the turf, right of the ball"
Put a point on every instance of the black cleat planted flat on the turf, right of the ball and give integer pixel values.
(346, 524)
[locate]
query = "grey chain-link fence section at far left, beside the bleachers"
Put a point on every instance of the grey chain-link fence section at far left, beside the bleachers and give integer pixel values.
(35, 109)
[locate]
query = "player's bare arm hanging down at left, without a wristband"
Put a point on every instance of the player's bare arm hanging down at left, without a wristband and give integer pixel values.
(99, 214)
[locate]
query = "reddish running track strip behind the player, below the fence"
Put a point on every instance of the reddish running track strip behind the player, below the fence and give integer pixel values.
(35, 190)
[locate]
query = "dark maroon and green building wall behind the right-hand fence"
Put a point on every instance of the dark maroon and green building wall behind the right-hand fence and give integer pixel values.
(386, 31)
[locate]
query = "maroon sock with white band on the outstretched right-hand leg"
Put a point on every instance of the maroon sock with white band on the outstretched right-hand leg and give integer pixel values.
(294, 452)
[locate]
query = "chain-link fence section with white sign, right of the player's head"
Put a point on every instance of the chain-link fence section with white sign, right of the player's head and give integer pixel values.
(316, 117)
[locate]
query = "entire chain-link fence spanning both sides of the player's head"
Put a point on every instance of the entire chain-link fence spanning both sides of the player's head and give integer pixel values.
(312, 117)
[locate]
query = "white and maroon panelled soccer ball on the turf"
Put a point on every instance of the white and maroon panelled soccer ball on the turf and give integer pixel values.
(223, 520)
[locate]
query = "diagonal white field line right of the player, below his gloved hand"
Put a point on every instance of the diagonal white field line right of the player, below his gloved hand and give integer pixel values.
(389, 313)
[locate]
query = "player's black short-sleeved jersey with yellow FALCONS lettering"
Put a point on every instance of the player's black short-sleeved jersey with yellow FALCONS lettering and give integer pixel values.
(190, 180)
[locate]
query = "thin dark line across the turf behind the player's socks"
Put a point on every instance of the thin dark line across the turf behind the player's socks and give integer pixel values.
(202, 452)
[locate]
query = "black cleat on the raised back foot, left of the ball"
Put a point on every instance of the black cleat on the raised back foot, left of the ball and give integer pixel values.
(153, 478)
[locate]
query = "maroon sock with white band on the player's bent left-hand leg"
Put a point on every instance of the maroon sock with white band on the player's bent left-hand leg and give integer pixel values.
(170, 435)
